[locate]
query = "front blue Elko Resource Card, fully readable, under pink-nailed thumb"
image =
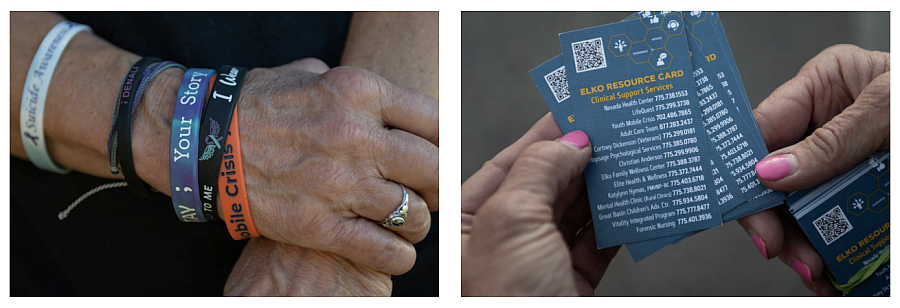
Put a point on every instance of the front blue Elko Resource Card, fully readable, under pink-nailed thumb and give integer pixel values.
(649, 174)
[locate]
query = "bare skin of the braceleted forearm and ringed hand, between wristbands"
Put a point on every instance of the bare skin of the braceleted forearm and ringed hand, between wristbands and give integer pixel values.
(322, 151)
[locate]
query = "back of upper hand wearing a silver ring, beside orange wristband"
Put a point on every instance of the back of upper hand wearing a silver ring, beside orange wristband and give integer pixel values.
(323, 154)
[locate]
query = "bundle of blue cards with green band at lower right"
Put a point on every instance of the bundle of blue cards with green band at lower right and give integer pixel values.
(847, 218)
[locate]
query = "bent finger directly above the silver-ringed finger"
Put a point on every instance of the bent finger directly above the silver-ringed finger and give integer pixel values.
(412, 161)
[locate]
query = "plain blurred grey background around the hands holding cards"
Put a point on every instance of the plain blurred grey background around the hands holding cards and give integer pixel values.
(500, 103)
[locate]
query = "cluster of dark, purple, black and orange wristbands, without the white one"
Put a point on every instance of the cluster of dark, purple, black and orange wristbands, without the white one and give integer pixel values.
(204, 157)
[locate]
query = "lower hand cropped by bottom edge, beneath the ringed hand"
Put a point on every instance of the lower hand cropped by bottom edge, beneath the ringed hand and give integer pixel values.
(270, 268)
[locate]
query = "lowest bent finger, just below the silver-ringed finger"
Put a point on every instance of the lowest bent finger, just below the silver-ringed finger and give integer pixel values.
(371, 245)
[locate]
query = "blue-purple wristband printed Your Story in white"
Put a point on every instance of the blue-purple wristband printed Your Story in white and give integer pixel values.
(184, 143)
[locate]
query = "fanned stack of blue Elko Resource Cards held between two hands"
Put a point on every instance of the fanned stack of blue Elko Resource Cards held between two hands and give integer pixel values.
(674, 140)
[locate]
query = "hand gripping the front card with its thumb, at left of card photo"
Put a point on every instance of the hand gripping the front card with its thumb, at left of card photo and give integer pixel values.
(521, 214)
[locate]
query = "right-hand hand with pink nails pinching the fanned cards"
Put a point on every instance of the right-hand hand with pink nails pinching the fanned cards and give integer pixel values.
(834, 114)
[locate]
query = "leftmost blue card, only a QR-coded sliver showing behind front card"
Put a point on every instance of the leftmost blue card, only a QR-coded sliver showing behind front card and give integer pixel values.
(550, 79)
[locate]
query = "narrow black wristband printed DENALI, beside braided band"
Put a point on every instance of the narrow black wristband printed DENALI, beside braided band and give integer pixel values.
(126, 101)
